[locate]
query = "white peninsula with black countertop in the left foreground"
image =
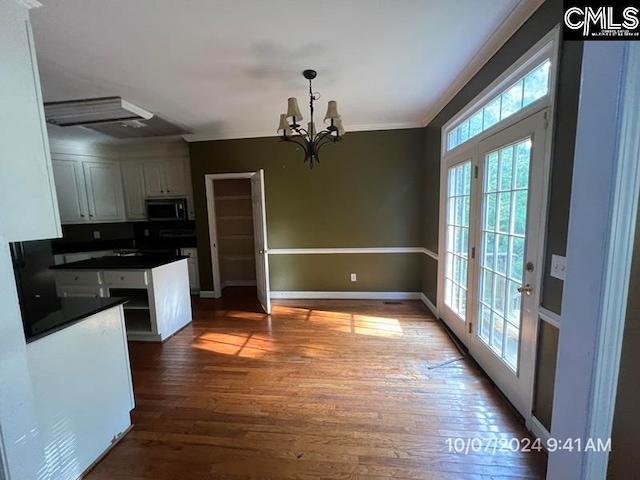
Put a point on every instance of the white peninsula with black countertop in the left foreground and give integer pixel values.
(80, 374)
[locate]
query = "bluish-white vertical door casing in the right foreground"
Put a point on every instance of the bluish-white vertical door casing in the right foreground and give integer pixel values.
(586, 296)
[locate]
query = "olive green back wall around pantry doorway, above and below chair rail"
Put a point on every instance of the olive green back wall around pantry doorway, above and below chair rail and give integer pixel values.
(366, 192)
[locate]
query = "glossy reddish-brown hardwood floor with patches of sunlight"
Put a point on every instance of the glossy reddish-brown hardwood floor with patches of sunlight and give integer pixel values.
(320, 390)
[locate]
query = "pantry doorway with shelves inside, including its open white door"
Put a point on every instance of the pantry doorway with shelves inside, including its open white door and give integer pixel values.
(237, 231)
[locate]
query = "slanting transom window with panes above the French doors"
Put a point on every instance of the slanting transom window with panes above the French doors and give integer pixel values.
(514, 98)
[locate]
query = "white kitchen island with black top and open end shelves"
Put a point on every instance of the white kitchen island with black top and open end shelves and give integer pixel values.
(156, 285)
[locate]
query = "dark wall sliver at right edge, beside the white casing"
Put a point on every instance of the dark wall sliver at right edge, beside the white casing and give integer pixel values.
(625, 437)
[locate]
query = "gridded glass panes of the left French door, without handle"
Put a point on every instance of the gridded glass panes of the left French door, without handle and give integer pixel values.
(457, 238)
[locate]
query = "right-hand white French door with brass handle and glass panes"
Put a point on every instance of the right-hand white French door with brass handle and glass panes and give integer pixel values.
(508, 201)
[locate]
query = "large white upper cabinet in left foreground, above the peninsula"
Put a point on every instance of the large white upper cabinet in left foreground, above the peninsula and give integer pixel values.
(27, 193)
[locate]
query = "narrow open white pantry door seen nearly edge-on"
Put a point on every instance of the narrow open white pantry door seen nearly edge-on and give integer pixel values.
(260, 239)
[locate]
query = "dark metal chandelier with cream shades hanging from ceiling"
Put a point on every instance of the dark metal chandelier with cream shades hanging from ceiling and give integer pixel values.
(310, 139)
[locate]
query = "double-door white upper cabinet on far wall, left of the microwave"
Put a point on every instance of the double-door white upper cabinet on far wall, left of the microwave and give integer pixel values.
(89, 191)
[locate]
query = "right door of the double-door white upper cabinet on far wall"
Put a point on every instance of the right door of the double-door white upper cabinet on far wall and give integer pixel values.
(104, 191)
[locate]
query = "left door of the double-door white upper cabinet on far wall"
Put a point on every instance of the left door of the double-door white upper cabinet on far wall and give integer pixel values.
(72, 196)
